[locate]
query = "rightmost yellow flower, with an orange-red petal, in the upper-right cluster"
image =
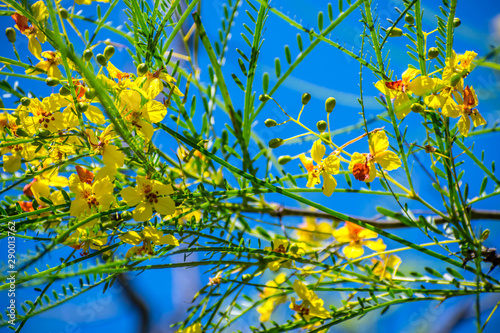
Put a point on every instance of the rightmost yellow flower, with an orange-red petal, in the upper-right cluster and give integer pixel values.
(465, 109)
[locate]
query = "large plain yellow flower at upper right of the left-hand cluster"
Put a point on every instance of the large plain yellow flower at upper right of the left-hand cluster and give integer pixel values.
(141, 114)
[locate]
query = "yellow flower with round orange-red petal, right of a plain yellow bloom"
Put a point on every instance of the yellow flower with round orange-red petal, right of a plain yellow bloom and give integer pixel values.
(363, 165)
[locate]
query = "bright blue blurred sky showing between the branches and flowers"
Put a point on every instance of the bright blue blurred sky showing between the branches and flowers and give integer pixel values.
(157, 299)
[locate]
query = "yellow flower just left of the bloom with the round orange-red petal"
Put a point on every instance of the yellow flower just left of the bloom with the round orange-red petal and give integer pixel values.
(325, 167)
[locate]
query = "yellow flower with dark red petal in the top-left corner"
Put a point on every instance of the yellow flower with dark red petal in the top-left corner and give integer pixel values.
(35, 36)
